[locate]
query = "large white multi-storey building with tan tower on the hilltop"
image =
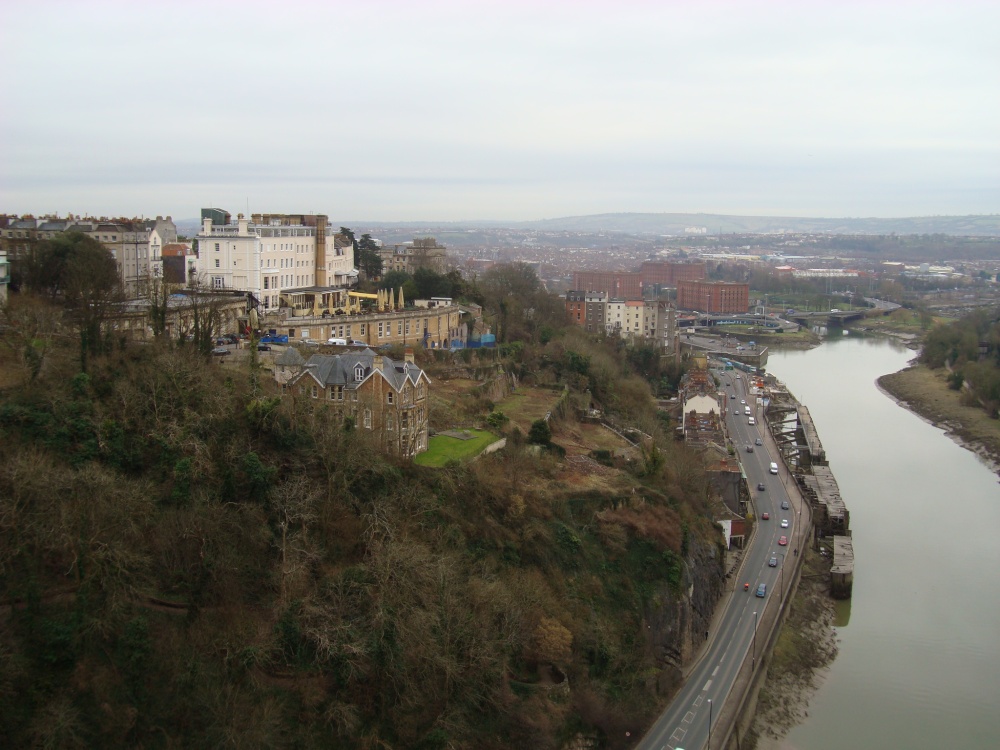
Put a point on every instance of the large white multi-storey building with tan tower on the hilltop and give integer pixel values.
(284, 260)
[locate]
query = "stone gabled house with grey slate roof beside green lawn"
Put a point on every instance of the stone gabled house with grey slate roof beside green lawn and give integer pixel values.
(386, 397)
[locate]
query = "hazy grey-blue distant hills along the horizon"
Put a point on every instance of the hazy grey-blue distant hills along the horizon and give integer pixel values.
(645, 223)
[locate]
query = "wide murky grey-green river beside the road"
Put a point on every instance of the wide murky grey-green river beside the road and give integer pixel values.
(919, 659)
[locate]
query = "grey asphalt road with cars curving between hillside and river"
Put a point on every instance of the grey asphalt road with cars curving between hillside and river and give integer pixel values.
(685, 723)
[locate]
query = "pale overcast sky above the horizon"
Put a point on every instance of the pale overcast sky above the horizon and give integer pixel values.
(426, 110)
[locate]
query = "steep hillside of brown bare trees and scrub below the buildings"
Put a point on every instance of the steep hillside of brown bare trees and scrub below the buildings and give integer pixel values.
(187, 560)
